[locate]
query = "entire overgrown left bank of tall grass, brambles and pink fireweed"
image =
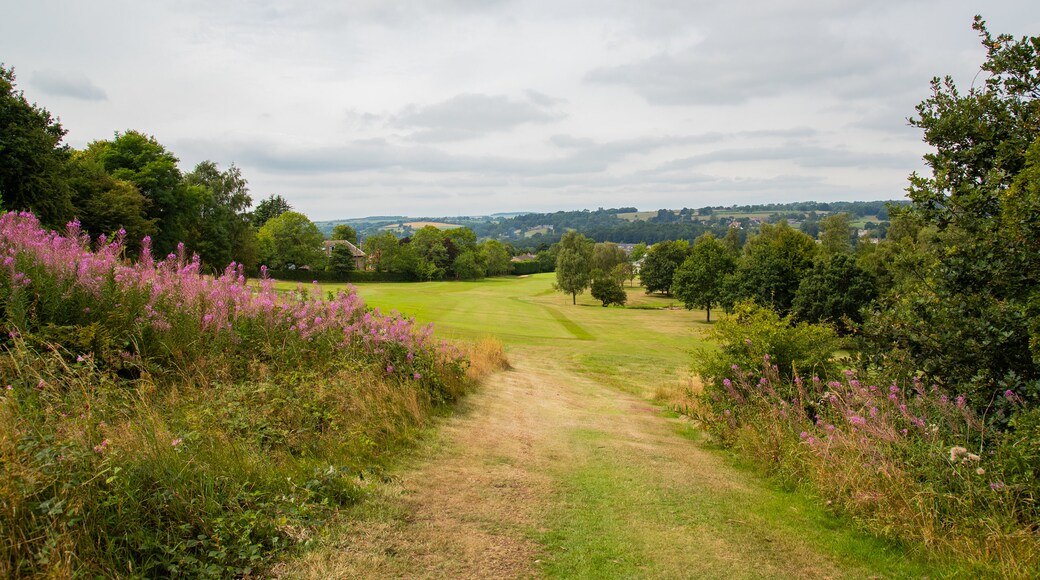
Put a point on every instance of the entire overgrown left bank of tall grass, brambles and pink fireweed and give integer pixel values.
(155, 421)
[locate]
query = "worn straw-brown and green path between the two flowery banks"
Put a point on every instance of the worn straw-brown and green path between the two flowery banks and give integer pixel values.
(550, 474)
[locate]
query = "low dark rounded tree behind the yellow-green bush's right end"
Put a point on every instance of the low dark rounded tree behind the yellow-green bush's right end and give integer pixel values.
(836, 293)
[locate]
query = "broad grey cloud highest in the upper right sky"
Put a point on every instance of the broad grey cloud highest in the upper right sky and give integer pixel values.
(747, 59)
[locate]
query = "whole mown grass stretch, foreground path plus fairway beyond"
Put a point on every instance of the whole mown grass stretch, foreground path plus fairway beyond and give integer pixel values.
(560, 468)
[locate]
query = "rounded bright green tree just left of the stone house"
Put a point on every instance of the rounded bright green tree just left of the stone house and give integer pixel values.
(291, 242)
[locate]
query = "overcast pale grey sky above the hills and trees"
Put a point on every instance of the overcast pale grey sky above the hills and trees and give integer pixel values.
(472, 108)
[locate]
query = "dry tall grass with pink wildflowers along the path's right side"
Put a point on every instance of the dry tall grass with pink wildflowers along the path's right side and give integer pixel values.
(905, 461)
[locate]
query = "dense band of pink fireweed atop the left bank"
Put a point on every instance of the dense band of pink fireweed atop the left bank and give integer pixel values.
(168, 311)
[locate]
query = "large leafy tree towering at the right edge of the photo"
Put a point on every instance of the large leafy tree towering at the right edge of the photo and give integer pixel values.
(970, 320)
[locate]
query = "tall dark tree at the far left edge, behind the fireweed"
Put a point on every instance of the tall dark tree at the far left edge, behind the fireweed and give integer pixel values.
(32, 157)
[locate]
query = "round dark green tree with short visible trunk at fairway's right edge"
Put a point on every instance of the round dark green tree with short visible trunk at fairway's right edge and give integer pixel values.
(700, 282)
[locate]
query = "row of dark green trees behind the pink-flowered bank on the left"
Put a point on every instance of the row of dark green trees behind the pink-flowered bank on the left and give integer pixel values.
(133, 184)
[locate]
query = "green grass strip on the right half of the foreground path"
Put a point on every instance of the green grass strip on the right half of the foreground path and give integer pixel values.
(618, 520)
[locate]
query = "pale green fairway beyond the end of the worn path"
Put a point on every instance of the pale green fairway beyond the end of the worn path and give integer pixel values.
(637, 349)
